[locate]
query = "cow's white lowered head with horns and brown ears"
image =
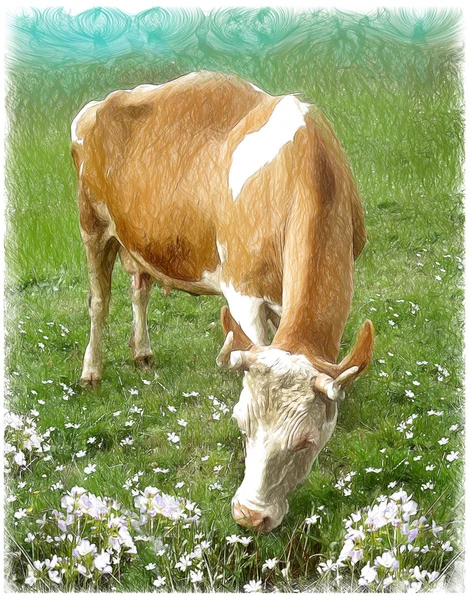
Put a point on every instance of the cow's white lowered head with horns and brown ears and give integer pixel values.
(287, 412)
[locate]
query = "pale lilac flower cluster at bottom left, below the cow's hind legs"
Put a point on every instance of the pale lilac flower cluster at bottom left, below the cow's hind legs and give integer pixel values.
(93, 536)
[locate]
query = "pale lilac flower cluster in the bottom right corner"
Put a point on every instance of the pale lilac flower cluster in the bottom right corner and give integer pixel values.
(385, 544)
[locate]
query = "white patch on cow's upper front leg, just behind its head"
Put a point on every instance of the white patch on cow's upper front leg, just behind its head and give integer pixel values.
(249, 312)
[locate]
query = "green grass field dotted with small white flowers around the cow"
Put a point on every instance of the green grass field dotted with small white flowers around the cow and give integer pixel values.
(397, 109)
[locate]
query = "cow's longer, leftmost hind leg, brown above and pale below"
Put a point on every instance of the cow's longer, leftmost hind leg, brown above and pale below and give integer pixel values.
(101, 254)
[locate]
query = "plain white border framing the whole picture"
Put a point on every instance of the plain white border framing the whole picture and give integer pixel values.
(132, 7)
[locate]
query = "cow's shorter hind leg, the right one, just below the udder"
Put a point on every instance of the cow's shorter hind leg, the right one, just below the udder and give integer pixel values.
(141, 286)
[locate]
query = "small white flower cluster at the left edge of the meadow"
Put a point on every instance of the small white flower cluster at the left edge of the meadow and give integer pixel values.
(22, 441)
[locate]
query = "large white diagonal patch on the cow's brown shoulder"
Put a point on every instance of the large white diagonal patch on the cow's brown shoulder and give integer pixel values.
(260, 147)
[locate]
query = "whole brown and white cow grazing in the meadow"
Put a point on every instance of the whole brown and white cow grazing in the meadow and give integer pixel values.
(209, 185)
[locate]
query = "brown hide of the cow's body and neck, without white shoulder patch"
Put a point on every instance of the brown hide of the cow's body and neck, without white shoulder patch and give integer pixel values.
(159, 160)
